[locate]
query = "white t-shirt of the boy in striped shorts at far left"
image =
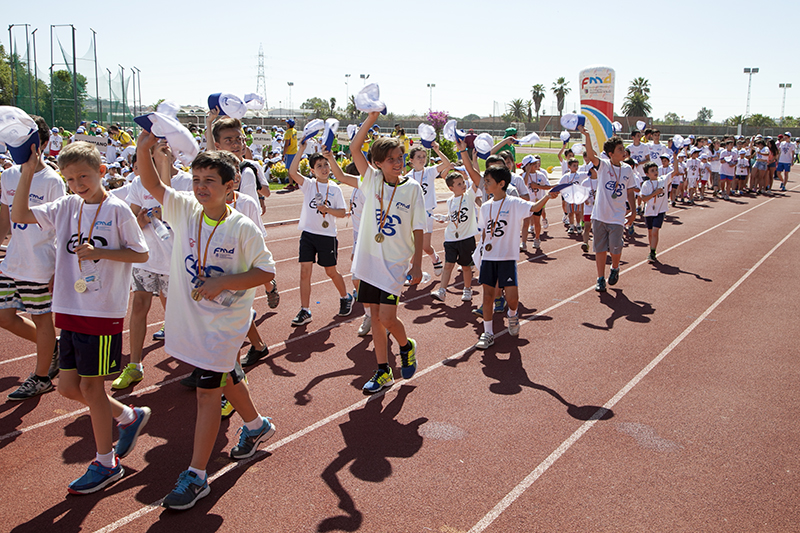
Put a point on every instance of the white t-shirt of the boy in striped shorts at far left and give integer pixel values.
(31, 253)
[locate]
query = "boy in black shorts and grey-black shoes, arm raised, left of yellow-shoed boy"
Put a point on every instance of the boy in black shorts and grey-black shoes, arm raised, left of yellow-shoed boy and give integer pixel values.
(323, 202)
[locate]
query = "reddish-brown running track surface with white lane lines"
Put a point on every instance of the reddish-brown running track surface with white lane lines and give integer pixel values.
(694, 360)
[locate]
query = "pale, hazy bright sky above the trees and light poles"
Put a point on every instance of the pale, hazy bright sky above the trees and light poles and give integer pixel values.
(479, 55)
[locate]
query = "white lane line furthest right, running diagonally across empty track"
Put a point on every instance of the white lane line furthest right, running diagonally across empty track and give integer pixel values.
(512, 496)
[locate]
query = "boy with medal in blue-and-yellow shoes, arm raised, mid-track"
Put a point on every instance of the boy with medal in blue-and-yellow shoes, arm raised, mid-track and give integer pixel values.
(390, 236)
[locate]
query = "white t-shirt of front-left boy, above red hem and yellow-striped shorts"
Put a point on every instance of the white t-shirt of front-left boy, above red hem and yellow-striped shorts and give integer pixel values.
(115, 228)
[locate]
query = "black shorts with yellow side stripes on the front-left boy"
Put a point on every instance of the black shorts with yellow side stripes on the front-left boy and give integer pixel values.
(90, 355)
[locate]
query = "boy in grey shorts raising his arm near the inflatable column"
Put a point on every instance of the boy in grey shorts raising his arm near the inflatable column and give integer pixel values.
(614, 186)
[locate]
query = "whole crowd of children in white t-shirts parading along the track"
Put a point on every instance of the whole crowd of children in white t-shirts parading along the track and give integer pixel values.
(194, 237)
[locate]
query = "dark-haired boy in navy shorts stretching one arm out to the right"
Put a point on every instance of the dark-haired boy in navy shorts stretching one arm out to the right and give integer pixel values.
(499, 218)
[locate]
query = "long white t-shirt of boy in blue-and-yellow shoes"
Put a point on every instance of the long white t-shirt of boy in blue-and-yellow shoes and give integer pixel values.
(384, 264)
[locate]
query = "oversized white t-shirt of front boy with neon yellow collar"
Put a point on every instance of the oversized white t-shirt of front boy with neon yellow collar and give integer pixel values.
(206, 334)
